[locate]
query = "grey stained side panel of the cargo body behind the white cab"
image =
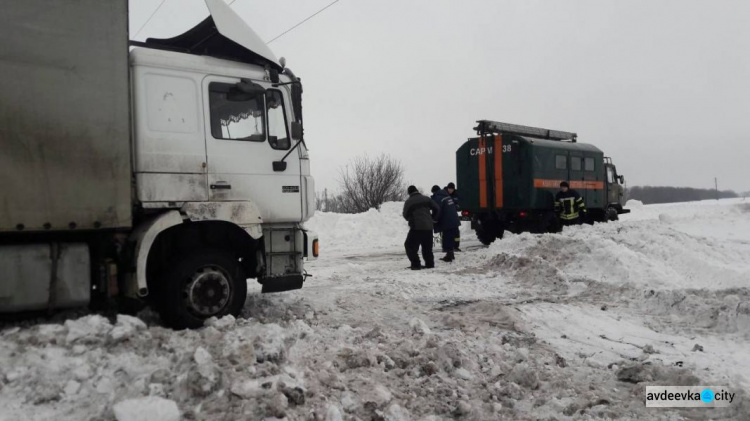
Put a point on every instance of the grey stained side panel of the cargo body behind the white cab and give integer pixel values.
(64, 115)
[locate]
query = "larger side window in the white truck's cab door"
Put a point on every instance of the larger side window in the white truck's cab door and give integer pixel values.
(235, 115)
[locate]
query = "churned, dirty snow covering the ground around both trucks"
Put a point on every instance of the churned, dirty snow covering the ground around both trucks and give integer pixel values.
(563, 326)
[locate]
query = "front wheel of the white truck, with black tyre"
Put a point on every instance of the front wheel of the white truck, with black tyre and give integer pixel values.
(200, 285)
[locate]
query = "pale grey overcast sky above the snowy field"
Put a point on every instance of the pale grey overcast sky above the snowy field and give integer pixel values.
(661, 86)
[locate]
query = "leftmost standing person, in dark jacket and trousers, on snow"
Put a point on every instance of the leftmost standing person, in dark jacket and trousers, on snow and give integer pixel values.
(420, 211)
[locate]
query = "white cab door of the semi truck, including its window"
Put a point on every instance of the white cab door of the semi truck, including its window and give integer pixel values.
(244, 136)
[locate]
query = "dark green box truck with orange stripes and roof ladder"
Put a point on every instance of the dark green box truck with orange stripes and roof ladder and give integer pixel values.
(508, 177)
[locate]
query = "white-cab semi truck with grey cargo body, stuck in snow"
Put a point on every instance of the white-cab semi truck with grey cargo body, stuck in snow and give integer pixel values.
(164, 172)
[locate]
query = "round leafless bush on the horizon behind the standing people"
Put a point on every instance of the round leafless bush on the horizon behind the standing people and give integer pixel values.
(367, 183)
